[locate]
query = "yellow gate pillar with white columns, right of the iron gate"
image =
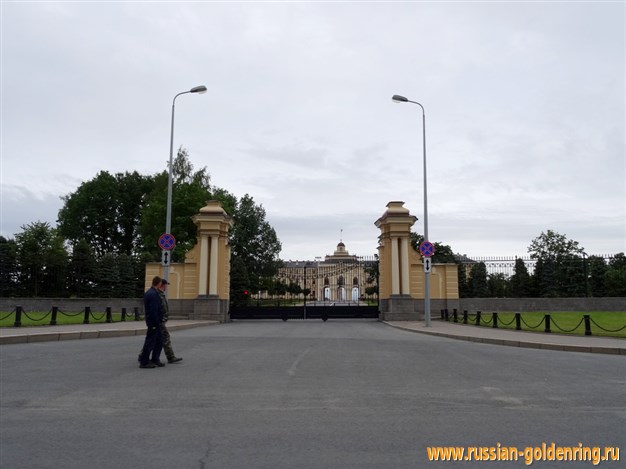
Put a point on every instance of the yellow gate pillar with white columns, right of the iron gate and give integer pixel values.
(394, 285)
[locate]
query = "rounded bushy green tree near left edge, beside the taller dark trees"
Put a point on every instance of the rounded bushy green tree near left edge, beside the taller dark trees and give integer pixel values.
(42, 261)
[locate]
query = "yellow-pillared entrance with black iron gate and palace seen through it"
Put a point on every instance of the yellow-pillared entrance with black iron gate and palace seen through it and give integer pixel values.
(390, 287)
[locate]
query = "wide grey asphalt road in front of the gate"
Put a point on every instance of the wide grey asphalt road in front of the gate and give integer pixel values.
(299, 394)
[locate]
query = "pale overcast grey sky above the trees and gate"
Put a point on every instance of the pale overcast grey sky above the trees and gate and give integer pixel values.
(524, 105)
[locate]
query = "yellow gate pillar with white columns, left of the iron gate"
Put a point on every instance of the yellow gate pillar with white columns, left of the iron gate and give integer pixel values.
(213, 286)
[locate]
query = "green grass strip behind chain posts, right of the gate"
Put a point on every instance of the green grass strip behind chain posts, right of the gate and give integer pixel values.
(563, 322)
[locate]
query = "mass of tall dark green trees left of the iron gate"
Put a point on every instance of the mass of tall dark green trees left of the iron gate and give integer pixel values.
(108, 229)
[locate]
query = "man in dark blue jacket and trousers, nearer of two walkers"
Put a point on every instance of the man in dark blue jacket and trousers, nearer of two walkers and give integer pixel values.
(153, 312)
